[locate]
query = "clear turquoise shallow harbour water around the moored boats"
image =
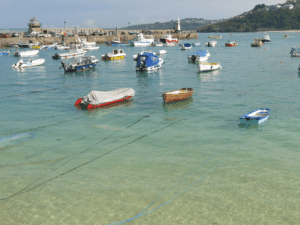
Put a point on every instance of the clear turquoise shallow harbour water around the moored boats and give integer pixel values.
(143, 162)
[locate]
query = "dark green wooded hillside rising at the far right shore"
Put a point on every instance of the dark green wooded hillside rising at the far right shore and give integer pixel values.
(281, 19)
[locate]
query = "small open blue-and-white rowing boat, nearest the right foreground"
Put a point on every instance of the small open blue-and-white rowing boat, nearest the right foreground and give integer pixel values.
(255, 117)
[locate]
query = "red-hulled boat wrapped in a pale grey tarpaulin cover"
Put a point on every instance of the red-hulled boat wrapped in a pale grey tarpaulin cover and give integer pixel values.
(97, 99)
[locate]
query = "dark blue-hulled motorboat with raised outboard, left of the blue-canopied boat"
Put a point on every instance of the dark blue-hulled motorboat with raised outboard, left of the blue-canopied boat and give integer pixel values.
(85, 63)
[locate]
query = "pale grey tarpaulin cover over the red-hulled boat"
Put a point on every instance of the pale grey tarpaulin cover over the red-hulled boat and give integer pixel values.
(100, 97)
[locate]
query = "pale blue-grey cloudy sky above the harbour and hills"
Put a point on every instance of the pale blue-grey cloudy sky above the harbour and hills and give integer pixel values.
(117, 13)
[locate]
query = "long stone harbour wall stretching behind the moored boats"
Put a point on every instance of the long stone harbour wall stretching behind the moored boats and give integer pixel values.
(6, 42)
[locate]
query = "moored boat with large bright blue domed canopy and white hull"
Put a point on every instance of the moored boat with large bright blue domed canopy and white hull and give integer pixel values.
(148, 62)
